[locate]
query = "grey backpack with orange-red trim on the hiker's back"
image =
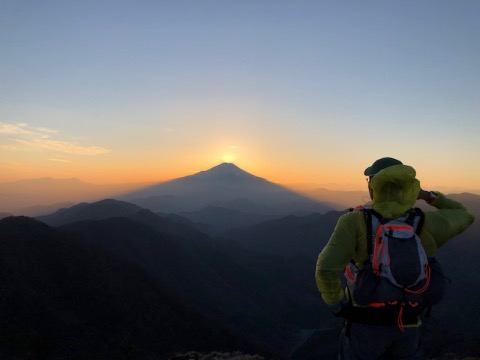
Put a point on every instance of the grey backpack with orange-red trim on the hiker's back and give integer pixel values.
(398, 281)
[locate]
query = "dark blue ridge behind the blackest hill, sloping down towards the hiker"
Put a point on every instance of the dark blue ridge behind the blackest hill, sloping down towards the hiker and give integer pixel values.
(219, 278)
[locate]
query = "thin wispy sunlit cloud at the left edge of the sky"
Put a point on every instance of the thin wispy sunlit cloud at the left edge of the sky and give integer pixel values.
(24, 137)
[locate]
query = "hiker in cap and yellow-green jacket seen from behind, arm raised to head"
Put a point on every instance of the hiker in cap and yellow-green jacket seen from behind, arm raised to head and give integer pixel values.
(386, 252)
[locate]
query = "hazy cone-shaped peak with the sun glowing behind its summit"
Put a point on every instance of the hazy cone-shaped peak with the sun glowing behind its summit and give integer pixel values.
(224, 185)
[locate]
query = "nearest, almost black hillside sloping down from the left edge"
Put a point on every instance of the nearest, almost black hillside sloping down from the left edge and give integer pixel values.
(65, 298)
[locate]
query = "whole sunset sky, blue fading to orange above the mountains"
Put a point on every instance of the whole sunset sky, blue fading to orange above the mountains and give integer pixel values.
(298, 92)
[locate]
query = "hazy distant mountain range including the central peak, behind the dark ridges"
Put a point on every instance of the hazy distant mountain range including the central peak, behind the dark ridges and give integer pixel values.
(224, 187)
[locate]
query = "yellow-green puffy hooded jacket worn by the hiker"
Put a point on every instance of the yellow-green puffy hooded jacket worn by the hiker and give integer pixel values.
(395, 190)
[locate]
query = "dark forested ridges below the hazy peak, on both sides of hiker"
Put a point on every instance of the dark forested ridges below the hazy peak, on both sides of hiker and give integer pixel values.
(113, 280)
